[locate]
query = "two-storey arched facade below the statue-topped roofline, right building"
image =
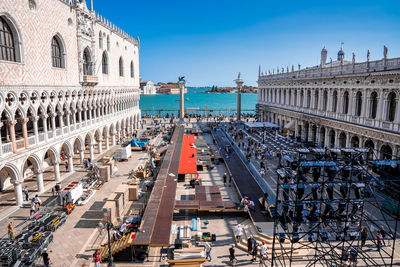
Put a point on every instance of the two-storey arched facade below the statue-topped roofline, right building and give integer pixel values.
(356, 112)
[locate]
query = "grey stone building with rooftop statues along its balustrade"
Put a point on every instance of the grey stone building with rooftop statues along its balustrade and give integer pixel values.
(337, 104)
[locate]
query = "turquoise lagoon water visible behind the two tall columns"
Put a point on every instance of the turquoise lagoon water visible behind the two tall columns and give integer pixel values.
(197, 100)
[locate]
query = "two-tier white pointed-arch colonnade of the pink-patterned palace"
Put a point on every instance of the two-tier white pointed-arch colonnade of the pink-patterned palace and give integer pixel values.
(42, 129)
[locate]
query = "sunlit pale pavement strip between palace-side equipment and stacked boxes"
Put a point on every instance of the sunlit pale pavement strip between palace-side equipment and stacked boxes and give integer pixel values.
(73, 243)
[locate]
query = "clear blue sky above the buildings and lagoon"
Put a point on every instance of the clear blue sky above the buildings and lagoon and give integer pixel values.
(210, 41)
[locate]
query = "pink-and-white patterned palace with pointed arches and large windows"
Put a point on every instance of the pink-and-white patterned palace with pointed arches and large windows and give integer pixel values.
(69, 85)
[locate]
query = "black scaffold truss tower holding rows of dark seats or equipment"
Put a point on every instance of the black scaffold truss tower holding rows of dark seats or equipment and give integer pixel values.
(331, 204)
